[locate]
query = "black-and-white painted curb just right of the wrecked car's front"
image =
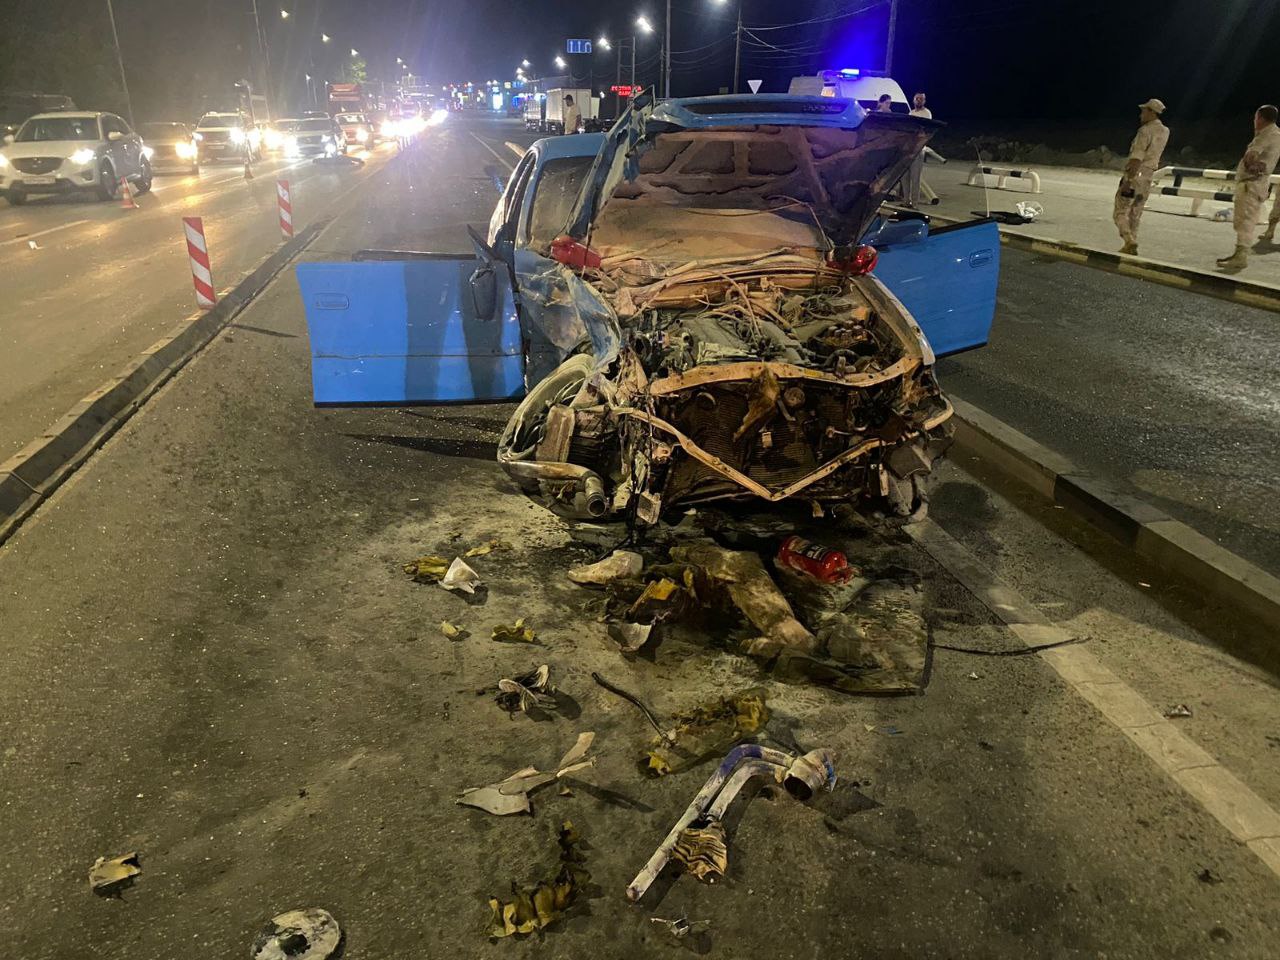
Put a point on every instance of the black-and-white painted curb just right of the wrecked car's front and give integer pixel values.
(1145, 529)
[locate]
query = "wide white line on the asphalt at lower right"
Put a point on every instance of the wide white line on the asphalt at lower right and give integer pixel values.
(1222, 794)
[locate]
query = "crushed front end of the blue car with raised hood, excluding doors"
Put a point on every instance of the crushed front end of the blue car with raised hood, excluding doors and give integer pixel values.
(734, 341)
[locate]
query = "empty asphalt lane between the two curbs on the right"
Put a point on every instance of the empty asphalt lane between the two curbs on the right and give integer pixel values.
(1171, 395)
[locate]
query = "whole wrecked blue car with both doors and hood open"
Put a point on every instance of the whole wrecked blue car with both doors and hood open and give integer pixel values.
(705, 304)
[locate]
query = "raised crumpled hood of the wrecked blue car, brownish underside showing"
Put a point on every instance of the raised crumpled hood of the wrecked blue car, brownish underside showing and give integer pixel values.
(806, 159)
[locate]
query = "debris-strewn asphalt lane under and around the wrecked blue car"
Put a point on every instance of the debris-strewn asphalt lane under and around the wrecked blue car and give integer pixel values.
(213, 659)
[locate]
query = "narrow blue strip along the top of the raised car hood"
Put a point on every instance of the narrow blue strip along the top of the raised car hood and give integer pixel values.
(779, 109)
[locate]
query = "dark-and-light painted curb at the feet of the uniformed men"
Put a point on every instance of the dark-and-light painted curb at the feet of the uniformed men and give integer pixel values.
(1210, 285)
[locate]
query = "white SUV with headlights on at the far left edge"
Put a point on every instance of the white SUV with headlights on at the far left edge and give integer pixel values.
(68, 152)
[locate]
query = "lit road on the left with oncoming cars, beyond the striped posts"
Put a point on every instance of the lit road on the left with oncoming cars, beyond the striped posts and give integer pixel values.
(104, 284)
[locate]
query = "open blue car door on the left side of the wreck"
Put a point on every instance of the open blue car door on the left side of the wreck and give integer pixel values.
(405, 328)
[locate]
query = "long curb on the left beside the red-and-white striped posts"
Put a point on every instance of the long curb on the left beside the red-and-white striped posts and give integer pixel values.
(33, 474)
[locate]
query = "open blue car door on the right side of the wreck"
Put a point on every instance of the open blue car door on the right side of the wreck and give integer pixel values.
(948, 282)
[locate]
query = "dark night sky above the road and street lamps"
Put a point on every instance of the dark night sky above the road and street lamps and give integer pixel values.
(1048, 60)
